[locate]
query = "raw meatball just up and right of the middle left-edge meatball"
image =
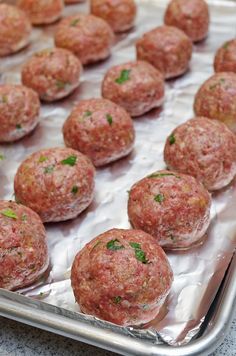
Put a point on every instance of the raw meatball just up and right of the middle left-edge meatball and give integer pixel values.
(53, 73)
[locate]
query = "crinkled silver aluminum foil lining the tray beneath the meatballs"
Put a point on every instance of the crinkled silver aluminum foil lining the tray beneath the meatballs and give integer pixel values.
(197, 272)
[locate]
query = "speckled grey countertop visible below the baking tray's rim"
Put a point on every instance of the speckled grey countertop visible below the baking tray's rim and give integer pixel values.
(17, 339)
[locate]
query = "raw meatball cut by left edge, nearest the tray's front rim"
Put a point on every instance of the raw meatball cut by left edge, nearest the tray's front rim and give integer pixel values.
(23, 248)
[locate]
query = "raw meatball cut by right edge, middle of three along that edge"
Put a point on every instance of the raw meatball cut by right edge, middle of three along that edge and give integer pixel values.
(216, 99)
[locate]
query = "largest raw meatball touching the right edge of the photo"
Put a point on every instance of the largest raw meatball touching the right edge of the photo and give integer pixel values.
(205, 149)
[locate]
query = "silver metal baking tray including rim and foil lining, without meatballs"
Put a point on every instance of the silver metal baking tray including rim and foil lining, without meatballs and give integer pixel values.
(57, 311)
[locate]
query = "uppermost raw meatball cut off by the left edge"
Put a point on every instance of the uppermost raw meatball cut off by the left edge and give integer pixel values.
(15, 29)
